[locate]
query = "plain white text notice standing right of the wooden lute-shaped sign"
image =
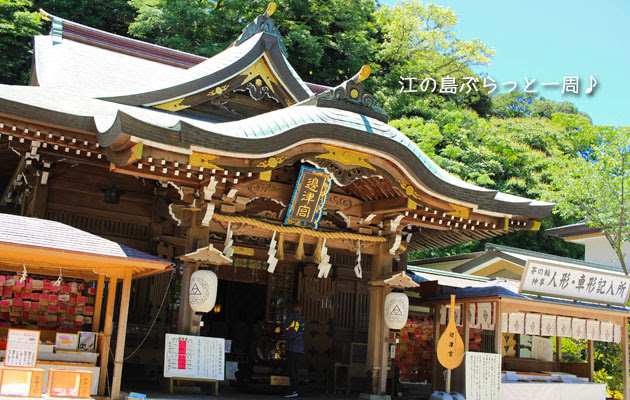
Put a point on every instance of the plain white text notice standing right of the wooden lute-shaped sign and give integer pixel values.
(483, 376)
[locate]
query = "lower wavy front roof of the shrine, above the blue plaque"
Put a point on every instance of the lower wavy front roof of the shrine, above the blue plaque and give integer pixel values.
(264, 134)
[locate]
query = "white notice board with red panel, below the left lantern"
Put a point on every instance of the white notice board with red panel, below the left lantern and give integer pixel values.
(194, 357)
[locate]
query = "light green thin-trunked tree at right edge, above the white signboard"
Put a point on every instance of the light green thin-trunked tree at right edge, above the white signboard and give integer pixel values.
(597, 188)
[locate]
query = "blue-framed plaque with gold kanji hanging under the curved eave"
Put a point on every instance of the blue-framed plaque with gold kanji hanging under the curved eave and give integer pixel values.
(309, 198)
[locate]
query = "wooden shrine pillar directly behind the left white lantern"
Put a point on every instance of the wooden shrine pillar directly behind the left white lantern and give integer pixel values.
(197, 237)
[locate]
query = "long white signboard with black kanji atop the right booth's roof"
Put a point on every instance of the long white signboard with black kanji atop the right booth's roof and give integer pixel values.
(575, 283)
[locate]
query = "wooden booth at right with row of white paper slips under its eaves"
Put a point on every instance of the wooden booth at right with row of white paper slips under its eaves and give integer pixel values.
(504, 318)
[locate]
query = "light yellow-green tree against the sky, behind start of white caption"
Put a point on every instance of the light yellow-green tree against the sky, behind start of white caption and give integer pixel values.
(419, 41)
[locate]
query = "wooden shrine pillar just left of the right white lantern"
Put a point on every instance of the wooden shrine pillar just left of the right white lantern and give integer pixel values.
(377, 331)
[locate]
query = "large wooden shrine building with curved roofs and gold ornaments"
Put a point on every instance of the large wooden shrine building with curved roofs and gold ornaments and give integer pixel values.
(285, 189)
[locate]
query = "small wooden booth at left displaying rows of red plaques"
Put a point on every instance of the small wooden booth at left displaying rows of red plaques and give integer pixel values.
(40, 251)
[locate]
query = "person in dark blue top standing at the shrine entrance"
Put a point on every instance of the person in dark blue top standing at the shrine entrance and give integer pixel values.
(293, 331)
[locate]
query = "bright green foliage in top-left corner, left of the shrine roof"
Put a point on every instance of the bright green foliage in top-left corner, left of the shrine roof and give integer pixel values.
(18, 25)
